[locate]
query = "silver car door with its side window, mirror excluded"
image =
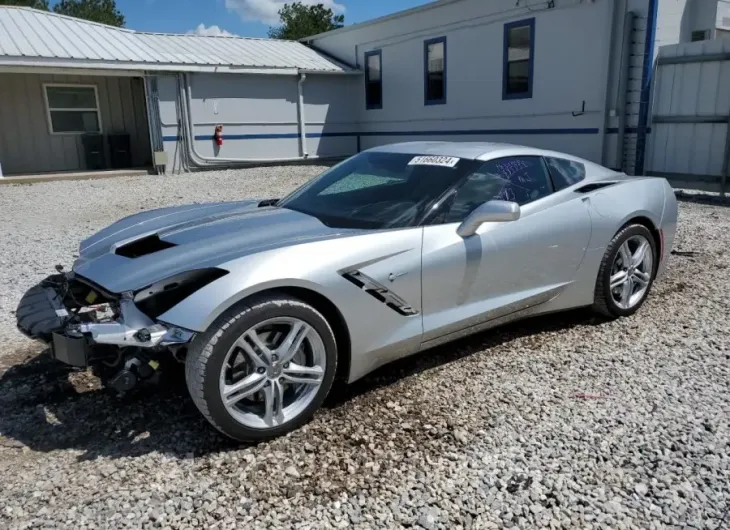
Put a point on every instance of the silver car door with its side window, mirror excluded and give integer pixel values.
(504, 267)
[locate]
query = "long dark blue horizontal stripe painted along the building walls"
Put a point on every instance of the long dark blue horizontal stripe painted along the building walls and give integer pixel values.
(463, 132)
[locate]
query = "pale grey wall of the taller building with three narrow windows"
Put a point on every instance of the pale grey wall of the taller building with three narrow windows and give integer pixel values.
(572, 46)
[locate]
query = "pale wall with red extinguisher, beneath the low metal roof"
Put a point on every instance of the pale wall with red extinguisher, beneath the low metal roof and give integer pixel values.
(260, 117)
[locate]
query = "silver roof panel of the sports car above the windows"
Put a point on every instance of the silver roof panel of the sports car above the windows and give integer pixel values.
(485, 151)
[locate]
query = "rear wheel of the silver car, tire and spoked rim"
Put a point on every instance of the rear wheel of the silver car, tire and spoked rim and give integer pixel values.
(627, 272)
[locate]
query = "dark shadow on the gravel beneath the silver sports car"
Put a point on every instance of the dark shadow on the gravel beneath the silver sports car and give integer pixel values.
(47, 406)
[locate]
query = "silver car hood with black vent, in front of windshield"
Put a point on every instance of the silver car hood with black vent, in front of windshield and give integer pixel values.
(190, 237)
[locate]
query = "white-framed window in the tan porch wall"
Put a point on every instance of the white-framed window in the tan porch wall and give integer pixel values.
(73, 109)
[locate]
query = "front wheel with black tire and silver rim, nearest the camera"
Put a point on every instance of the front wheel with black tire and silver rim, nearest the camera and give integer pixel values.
(218, 347)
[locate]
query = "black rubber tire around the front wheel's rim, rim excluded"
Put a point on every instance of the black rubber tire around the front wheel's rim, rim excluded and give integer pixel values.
(260, 312)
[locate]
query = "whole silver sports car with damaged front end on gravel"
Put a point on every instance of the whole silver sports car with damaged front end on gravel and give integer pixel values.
(390, 252)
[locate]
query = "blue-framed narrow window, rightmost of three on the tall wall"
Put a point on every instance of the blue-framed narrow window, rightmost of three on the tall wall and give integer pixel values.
(518, 59)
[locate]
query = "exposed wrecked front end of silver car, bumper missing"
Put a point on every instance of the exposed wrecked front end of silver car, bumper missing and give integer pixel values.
(85, 326)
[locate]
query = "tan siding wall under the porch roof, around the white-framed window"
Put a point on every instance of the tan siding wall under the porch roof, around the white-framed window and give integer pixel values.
(26, 146)
